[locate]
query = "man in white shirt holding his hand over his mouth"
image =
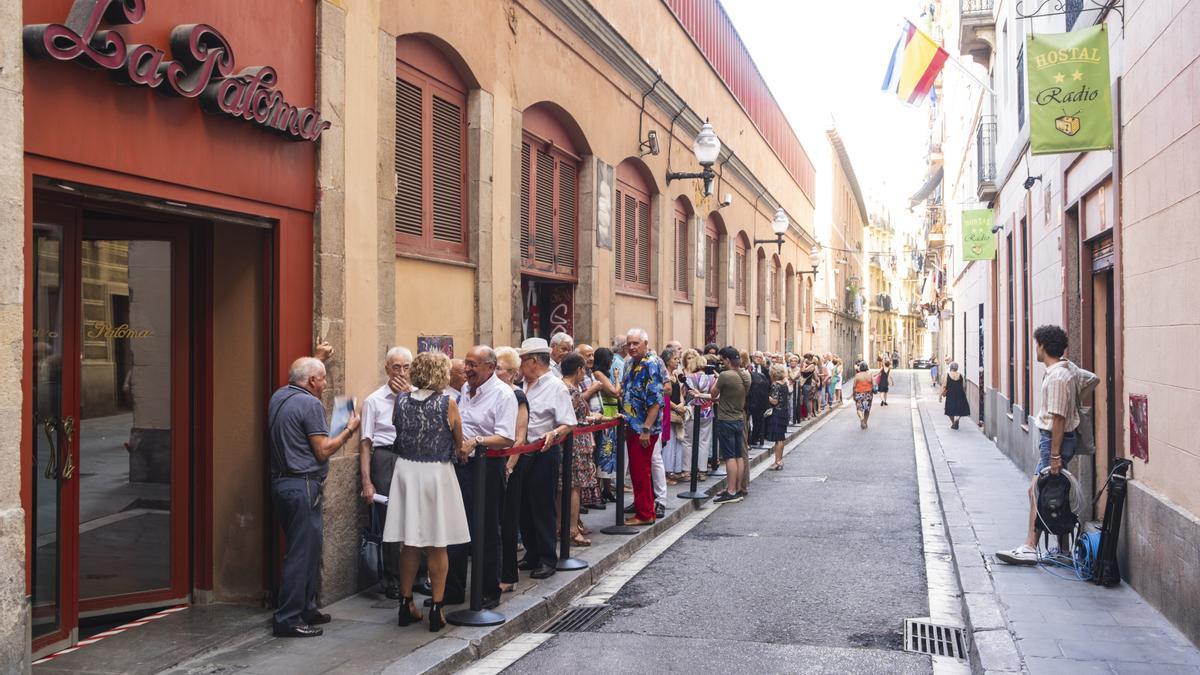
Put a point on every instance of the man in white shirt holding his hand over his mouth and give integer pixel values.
(376, 457)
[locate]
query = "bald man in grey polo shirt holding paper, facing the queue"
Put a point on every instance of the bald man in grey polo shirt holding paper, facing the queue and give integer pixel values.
(301, 451)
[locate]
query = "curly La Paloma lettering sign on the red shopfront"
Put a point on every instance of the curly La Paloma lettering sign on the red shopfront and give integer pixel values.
(203, 65)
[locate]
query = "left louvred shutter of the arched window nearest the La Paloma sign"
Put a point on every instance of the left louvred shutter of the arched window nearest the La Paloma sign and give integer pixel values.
(410, 184)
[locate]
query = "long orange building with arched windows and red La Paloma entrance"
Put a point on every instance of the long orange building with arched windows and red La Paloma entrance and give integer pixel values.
(368, 174)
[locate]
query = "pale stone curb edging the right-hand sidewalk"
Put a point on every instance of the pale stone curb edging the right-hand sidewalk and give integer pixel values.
(993, 648)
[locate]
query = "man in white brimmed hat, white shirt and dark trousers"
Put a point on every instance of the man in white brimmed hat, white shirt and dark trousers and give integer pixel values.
(551, 417)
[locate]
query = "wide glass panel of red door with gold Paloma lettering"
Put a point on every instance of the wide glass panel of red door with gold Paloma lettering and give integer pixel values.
(125, 417)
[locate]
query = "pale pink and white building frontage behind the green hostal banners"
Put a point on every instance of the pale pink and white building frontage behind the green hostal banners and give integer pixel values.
(1064, 226)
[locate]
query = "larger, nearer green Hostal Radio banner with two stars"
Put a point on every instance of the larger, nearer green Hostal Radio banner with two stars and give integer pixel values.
(1071, 98)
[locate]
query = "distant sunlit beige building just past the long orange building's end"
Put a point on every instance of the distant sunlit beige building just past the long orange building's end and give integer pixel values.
(839, 306)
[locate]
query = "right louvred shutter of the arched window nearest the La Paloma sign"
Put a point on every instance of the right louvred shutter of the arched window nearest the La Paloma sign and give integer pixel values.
(448, 171)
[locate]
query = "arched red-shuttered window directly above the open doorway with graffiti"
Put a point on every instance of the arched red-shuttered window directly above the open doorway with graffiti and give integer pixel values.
(550, 169)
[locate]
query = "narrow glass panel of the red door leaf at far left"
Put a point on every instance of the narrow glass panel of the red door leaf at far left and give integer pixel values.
(50, 425)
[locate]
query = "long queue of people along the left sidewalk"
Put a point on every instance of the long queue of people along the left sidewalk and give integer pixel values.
(427, 429)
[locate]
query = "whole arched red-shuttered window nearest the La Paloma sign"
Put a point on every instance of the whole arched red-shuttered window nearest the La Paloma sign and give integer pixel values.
(431, 152)
